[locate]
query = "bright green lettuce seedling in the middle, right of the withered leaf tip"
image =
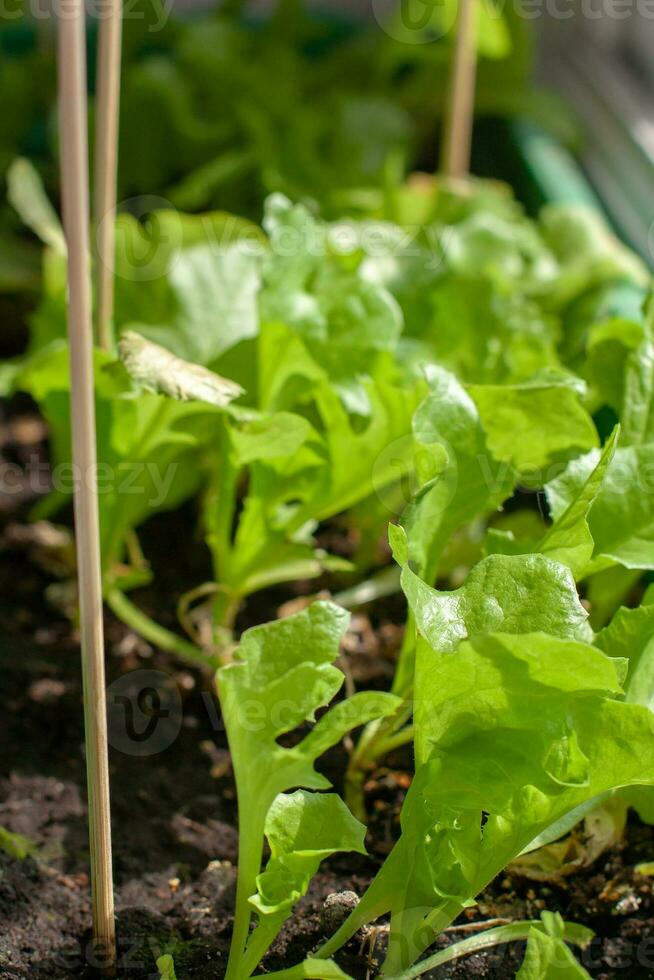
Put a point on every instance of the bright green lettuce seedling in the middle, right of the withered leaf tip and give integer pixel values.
(302, 467)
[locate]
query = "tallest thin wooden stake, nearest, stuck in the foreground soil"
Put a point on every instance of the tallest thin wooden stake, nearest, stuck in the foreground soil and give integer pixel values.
(75, 196)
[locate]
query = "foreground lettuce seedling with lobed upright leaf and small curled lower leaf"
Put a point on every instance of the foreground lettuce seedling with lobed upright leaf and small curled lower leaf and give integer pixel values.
(283, 673)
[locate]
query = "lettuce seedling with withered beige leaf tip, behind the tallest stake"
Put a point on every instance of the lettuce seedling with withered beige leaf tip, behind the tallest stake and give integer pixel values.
(149, 446)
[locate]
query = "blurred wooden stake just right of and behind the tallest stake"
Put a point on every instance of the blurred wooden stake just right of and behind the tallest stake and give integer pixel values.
(106, 164)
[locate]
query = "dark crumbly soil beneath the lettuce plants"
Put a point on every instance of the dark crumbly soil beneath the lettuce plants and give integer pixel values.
(174, 811)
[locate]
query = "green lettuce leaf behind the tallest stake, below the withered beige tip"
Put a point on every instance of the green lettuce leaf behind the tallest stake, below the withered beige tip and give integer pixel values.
(147, 444)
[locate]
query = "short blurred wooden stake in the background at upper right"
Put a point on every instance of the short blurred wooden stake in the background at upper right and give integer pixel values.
(457, 138)
